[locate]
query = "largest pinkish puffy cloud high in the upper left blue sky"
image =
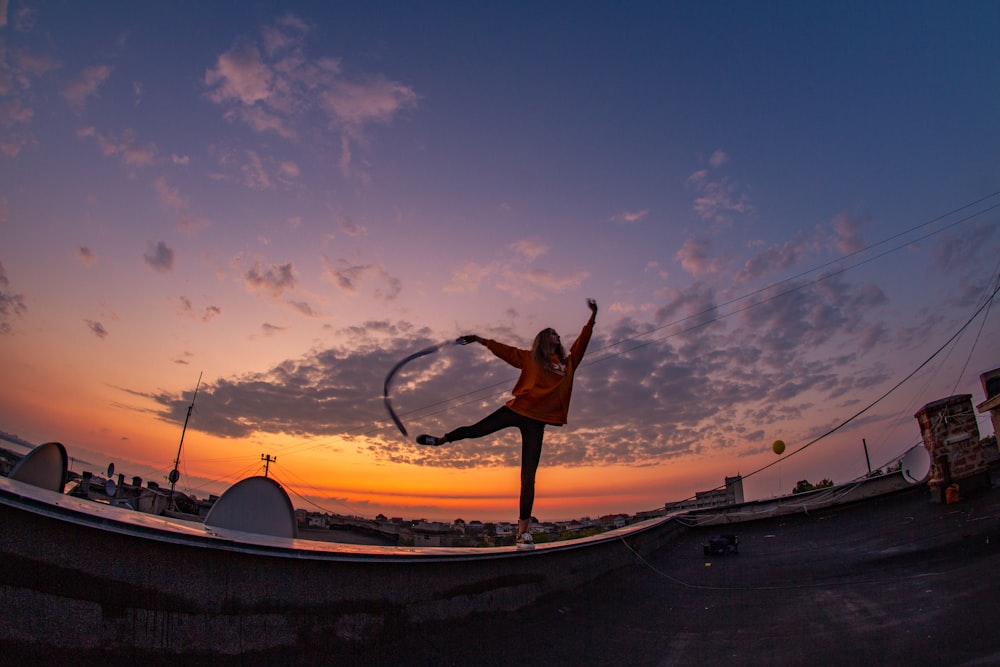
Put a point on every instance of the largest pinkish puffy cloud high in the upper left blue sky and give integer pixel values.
(277, 88)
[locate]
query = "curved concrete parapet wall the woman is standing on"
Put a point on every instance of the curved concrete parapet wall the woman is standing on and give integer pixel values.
(80, 576)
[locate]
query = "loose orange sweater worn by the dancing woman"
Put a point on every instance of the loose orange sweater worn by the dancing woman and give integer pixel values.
(543, 393)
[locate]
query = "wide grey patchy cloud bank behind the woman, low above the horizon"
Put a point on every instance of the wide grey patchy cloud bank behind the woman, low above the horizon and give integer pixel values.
(650, 399)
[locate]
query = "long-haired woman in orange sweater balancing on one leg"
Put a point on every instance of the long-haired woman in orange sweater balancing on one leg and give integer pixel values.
(541, 396)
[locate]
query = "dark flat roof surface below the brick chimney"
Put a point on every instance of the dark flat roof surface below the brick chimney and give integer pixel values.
(895, 580)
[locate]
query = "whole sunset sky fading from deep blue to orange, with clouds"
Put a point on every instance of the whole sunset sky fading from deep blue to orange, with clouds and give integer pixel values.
(783, 209)
